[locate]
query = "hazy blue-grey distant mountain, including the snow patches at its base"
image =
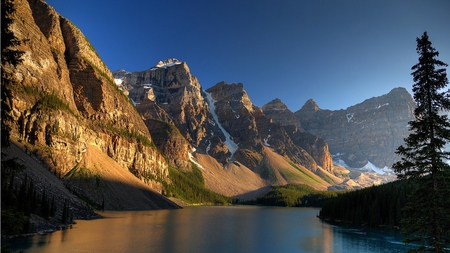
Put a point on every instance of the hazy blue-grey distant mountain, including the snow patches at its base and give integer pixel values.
(362, 138)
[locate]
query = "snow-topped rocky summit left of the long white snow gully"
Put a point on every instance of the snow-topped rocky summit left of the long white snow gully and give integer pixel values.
(171, 87)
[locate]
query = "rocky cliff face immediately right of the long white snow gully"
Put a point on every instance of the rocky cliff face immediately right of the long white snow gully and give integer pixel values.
(250, 128)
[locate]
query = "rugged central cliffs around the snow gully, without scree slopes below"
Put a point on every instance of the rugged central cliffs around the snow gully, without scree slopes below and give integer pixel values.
(221, 121)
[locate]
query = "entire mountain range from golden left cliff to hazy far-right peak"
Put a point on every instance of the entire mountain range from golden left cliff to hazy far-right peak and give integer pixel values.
(112, 137)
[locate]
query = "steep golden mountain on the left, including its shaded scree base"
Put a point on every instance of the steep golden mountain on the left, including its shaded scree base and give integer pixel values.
(67, 112)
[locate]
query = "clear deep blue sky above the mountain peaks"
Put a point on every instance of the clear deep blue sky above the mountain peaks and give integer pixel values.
(337, 52)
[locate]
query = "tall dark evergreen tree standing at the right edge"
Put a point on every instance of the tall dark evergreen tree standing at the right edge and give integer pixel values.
(426, 216)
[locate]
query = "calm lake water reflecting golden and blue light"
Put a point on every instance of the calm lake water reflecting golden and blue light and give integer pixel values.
(213, 229)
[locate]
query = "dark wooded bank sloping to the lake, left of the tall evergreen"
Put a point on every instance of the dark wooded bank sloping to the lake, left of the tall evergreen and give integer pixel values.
(373, 206)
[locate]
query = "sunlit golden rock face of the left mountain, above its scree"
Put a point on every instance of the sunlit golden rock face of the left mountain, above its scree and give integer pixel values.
(64, 99)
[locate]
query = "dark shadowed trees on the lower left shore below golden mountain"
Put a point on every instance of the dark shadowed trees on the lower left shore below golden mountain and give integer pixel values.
(20, 200)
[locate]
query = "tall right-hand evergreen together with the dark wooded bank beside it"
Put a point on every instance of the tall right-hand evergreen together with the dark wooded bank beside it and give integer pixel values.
(419, 203)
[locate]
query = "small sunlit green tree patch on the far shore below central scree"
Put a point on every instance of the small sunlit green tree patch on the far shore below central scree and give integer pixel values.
(294, 195)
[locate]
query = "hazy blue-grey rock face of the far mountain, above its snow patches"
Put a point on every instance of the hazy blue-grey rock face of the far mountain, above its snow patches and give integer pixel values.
(367, 132)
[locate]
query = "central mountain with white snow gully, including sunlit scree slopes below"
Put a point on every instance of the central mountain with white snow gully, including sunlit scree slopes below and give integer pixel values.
(221, 128)
